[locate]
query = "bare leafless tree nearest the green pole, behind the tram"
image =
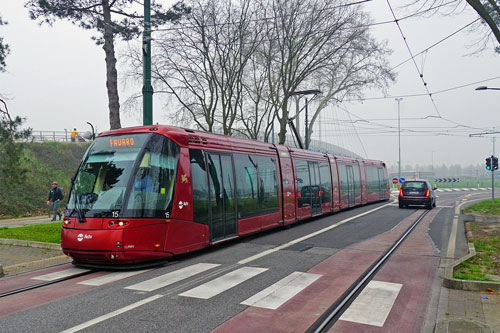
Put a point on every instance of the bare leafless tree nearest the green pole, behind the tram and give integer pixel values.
(202, 61)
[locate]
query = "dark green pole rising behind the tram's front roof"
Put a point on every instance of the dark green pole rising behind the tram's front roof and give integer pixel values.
(147, 89)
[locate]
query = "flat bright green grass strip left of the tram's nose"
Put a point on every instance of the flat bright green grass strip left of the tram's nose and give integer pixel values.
(47, 233)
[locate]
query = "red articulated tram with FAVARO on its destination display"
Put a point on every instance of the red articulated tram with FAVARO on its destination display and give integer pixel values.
(150, 192)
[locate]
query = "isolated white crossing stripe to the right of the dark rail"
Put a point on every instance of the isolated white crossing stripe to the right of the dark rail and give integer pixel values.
(373, 304)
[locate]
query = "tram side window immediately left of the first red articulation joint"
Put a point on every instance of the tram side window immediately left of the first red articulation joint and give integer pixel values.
(268, 184)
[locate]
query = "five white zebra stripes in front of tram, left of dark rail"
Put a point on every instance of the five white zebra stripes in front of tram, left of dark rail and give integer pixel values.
(271, 297)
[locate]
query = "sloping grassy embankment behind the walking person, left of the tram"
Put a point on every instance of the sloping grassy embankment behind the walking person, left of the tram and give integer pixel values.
(45, 162)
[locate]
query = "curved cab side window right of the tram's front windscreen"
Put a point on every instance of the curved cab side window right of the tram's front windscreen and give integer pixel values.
(153, 186)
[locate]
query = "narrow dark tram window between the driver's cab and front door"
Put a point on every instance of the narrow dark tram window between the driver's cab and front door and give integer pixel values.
(200, 186)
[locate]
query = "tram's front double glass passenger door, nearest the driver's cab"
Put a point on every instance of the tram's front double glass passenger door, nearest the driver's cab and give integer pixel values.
(223, 222)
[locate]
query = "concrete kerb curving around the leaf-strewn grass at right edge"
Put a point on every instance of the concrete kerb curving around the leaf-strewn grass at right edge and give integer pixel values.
(450, 282)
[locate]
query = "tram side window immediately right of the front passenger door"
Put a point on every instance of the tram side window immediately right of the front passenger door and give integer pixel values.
(247, 185)
